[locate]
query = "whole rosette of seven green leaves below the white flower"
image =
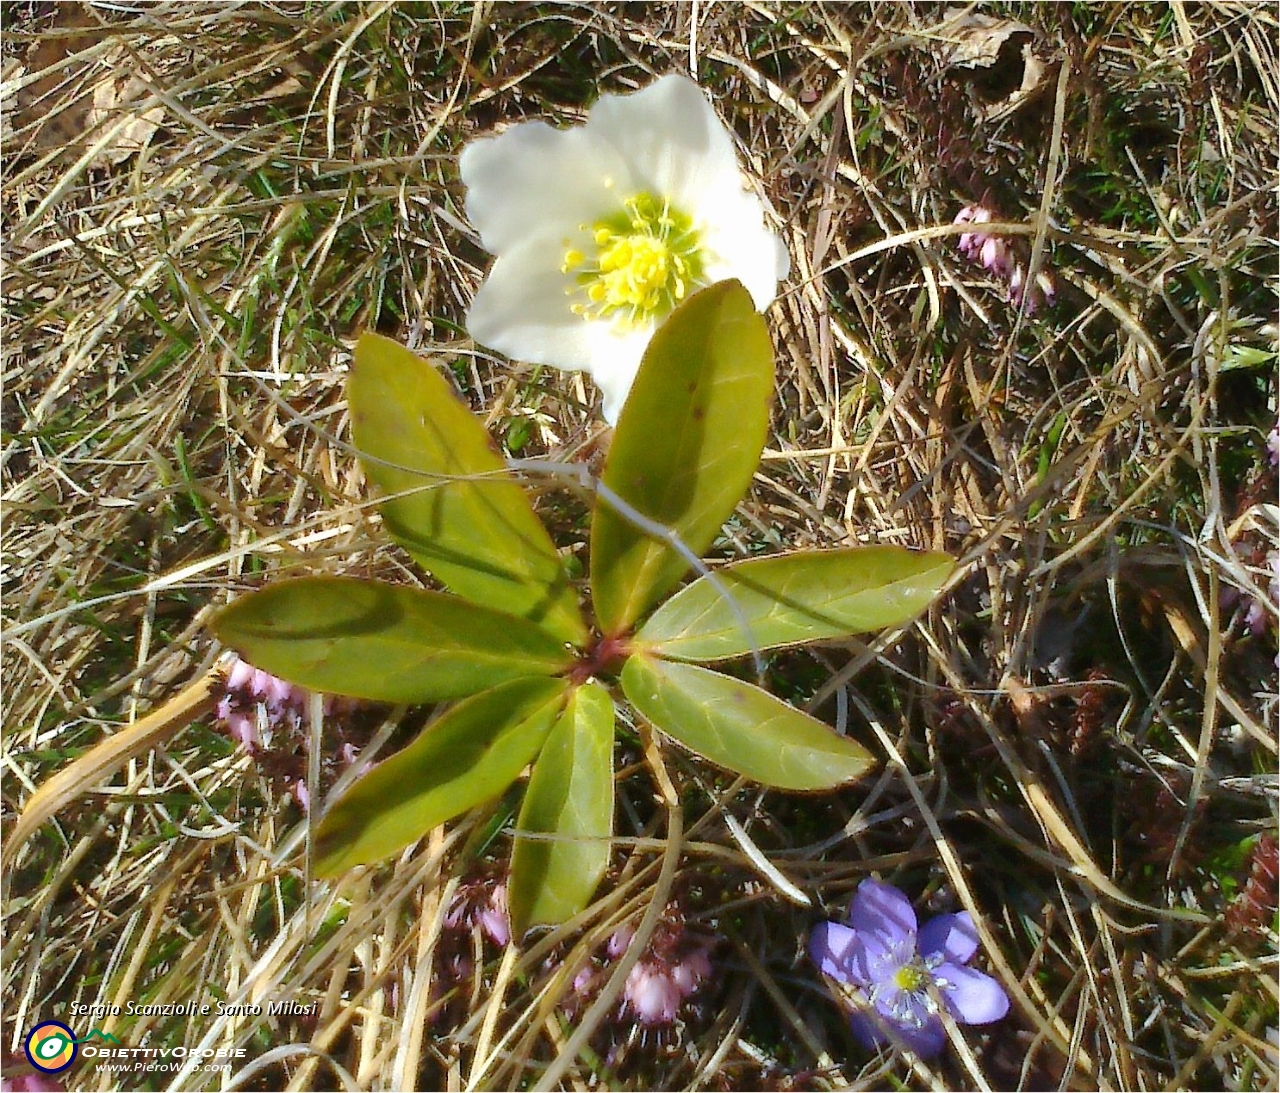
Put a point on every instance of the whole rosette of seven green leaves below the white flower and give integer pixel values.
(536, 666)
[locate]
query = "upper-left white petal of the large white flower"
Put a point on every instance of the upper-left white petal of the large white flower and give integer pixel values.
(534, 180)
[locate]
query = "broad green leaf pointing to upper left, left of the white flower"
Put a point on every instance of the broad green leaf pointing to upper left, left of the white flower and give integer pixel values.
(465, 520)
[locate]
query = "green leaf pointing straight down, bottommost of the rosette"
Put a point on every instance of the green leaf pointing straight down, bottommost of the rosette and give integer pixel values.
(570, 798)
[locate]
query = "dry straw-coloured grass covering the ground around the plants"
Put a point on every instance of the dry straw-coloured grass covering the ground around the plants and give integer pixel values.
(1080, 739)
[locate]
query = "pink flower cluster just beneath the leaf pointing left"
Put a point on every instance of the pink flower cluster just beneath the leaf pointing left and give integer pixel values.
(269, 717)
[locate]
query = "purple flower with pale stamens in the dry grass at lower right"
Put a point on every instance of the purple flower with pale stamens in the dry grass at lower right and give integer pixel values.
(907, 973)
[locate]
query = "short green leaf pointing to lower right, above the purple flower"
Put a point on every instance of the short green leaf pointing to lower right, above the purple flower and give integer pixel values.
(742, 728)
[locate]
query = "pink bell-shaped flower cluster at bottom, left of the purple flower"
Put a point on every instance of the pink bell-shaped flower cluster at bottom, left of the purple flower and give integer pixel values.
(662, 981)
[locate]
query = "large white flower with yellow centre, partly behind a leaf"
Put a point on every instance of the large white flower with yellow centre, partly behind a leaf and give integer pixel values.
(602, 230)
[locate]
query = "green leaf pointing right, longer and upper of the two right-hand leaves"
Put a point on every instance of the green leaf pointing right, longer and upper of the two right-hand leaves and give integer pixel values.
(796, 598)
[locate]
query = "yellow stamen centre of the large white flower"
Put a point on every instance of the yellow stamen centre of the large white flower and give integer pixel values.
(647, 259)
